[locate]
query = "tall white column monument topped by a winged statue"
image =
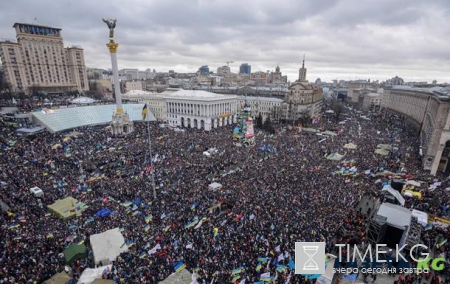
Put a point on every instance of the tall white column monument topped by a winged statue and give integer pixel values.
(121, 124)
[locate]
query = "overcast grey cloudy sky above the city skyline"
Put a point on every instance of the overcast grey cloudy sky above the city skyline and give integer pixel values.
(345, 39)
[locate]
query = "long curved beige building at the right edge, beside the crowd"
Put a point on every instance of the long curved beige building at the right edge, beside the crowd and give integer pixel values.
(429, 110)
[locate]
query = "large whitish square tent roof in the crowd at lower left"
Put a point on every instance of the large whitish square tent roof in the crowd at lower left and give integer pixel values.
(107, 246)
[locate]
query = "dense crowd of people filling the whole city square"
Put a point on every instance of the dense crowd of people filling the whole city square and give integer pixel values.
(269, 200)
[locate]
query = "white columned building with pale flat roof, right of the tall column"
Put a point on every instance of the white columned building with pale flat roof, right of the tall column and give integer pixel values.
(200, 109)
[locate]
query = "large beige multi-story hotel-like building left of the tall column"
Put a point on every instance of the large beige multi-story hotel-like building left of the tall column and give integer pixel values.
(38, 61)
